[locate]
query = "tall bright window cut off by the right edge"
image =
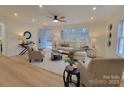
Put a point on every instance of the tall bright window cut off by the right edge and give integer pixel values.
(121, 39)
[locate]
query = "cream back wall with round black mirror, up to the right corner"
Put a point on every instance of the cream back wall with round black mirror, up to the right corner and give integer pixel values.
(13, 27)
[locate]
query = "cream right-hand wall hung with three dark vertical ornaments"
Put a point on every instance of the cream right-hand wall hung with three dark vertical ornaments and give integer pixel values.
(111, 51)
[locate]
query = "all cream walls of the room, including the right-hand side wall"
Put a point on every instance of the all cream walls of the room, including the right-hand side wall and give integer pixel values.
(97, 30)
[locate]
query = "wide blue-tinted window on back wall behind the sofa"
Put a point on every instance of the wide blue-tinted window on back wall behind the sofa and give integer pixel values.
(75, 35)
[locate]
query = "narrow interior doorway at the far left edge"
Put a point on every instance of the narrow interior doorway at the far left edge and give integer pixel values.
(2, 39)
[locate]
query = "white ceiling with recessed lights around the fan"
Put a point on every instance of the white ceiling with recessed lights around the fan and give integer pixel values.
(73, 13)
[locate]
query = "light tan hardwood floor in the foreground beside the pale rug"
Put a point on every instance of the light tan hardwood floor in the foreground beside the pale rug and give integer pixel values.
(20, 74)
